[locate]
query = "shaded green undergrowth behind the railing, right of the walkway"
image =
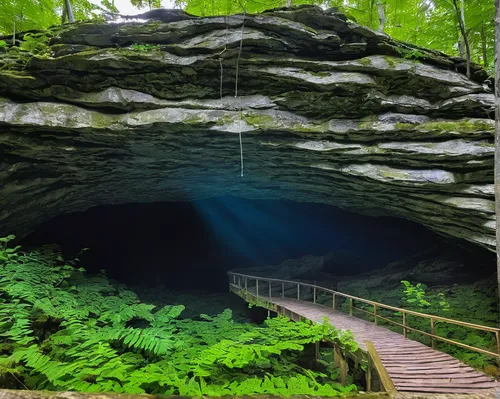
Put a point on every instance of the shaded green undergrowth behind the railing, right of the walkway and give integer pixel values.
(473, 303)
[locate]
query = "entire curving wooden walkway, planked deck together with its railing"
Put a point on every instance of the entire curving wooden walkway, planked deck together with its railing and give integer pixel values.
(403, 365)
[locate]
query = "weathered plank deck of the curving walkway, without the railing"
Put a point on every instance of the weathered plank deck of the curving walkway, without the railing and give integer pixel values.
(412, 366)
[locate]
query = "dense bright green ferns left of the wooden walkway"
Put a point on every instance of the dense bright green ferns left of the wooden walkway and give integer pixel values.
(62, 329)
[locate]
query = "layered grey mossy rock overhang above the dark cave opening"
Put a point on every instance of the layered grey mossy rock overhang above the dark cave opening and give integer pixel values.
(328, 111)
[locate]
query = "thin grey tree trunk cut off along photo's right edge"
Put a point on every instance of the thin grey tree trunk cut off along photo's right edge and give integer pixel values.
(497, 141)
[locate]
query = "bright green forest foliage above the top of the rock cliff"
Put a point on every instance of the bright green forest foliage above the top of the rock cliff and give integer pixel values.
(434, 24)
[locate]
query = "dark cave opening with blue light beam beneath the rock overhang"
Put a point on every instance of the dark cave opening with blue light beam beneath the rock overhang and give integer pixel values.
(192, 245)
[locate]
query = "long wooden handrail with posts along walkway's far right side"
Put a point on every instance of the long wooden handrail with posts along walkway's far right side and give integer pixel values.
(379, 305)
